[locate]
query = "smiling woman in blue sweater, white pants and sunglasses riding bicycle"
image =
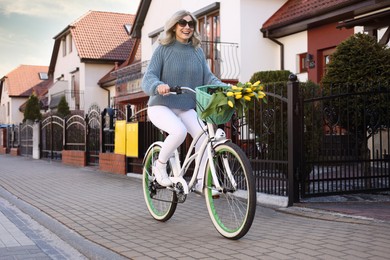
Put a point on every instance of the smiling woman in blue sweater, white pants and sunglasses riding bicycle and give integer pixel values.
(177, 61)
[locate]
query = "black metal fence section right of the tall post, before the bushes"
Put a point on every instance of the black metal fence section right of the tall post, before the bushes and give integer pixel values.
(346, 142)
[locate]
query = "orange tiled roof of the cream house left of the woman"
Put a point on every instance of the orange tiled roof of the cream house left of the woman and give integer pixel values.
(102, 35)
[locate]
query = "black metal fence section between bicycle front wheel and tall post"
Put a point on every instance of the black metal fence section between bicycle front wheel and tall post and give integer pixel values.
(263, 136)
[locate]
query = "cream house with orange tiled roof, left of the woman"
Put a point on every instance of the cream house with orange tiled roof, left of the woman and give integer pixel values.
(84, 52)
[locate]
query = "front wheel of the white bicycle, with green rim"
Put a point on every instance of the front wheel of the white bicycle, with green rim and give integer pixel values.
(233, 211)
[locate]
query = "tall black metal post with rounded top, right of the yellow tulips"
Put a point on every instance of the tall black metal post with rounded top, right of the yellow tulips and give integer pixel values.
(294, 138)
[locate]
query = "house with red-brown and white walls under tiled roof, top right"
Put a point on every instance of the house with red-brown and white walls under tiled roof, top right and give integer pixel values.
(305, 33)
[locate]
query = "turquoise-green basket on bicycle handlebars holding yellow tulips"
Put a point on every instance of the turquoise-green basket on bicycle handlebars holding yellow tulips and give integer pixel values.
(203, 96)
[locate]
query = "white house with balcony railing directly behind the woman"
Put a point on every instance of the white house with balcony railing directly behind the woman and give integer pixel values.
(231, 40)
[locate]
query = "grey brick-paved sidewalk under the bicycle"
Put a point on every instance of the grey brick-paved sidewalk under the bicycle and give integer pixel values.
(104, 216)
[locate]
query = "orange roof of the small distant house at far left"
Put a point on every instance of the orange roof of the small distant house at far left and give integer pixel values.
(23, 78)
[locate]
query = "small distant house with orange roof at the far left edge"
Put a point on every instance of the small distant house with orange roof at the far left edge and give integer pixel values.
(14, 91)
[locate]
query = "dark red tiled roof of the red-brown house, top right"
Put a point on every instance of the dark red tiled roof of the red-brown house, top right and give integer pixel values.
(295, 10)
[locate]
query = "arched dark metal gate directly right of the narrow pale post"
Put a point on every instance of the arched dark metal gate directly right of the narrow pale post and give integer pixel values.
(52, 137)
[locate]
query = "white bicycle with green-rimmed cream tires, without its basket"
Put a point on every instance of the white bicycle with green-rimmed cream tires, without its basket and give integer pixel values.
(227, 173)
